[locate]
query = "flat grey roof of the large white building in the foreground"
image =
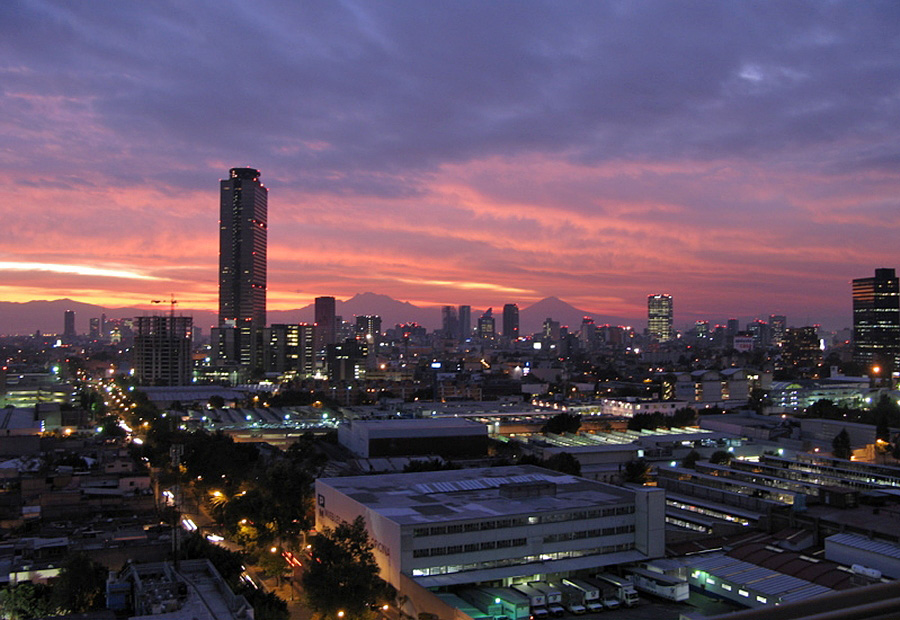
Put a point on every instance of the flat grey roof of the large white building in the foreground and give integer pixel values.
(463, 494)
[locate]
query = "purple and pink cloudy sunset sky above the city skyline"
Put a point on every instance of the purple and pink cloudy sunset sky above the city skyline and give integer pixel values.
(740, 156)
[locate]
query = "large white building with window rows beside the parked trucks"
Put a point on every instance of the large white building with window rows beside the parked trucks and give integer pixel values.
(455, 527)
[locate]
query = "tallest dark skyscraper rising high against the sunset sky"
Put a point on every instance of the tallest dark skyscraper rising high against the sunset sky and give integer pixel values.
(243, 218)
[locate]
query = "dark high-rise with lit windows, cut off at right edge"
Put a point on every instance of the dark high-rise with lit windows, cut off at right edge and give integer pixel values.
(876, 321)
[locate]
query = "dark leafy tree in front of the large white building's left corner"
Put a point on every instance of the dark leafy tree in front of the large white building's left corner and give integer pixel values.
(343, 575)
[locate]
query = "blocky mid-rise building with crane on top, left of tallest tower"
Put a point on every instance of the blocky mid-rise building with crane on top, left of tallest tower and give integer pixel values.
(162, 350)
